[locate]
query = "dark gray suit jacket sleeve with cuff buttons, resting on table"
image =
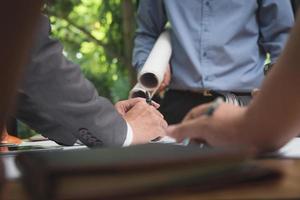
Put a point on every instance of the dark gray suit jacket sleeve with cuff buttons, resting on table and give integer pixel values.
(56, 100)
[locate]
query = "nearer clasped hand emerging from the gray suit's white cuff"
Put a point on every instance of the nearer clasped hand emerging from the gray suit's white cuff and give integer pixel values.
(146, 122)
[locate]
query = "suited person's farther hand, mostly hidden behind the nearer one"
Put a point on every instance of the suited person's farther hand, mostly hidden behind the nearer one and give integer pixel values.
(124, 106)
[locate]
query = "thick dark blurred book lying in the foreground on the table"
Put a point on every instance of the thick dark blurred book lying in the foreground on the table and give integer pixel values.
(135, 171)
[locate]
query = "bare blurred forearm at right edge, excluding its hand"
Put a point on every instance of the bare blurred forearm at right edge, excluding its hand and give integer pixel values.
(274, 115)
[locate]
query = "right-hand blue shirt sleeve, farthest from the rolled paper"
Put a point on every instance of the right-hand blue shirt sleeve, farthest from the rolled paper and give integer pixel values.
(275, 20)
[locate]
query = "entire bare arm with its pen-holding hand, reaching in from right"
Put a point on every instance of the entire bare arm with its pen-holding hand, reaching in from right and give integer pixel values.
(270, 121)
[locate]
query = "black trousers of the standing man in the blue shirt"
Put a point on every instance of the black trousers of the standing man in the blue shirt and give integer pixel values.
(176, 104)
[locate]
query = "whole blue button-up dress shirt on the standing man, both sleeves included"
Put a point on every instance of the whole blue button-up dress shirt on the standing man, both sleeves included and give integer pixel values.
(217, 44)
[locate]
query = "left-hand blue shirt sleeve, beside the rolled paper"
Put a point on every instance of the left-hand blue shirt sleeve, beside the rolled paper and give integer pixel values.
(151, 20)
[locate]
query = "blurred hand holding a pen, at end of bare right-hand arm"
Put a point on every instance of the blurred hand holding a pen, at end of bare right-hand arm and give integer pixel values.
(221, 129)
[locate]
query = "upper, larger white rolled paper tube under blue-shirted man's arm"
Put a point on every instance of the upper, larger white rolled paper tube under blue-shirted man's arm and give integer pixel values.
(152, 73)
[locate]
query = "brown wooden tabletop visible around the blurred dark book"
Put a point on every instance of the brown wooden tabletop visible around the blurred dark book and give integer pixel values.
(286, 187)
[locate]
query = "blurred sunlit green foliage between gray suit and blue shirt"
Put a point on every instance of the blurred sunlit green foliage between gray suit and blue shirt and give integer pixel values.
(97, 35)
